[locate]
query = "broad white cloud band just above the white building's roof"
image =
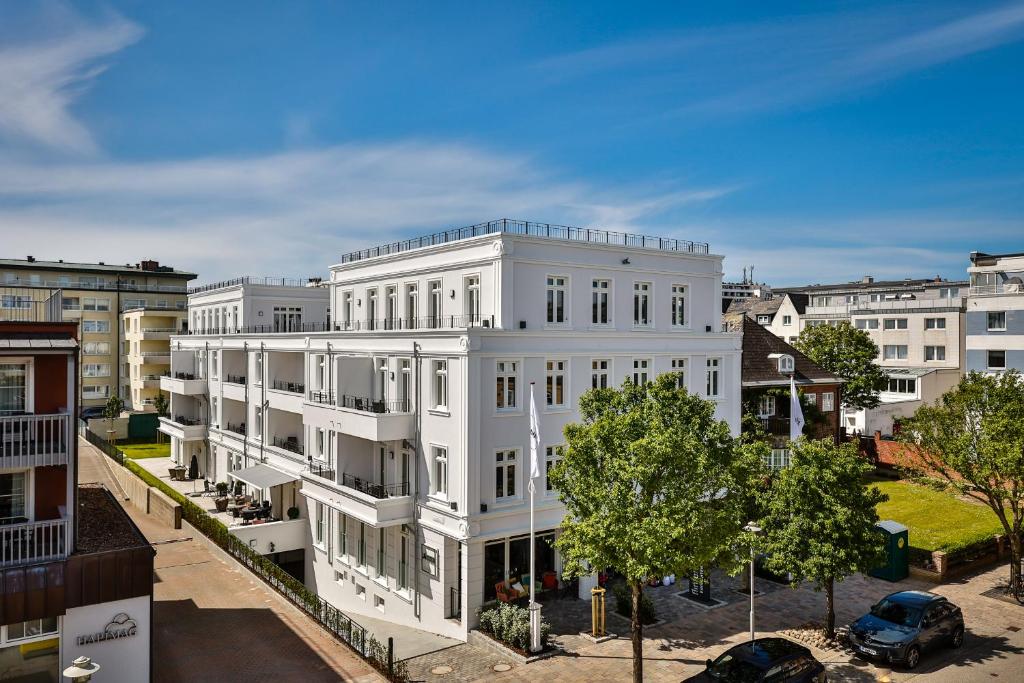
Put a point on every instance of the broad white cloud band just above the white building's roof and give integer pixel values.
(297, 212)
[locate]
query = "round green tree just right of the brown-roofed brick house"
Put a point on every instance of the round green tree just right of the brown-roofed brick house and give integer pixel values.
(850, 354)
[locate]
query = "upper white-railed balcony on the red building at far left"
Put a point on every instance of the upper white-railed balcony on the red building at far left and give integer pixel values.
(35, 441)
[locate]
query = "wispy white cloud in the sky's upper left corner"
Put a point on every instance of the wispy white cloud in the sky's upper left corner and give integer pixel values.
(42, 74)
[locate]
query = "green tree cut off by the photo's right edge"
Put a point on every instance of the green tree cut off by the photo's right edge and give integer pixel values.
(973, 439)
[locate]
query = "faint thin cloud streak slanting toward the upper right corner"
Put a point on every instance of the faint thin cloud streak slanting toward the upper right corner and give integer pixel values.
(781, 64)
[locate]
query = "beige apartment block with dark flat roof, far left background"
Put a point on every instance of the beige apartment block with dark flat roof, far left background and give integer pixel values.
(96, 295)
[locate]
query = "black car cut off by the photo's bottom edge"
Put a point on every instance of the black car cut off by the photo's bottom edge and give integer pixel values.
(769, 660)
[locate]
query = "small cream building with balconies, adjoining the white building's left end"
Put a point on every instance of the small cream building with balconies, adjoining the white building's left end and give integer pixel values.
(146, 340)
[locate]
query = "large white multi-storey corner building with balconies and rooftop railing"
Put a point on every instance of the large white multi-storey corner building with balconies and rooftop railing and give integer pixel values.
(401, 436)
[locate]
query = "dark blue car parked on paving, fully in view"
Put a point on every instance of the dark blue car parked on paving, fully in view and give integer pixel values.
(903, 626)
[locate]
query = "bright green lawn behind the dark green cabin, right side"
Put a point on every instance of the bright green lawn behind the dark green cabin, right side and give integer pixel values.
(936, 521)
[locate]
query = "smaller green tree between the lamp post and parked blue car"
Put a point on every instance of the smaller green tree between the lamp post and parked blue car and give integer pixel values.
(820, 519)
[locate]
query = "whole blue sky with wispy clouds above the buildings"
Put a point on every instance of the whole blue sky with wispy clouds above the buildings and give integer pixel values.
(817, 142)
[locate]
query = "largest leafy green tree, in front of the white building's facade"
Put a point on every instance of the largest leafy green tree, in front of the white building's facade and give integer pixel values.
(646, 481)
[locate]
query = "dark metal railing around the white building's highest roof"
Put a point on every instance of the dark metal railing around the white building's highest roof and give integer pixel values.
(510, 227)
